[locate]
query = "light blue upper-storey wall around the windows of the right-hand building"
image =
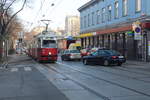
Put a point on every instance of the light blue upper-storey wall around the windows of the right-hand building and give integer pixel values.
(131, 16)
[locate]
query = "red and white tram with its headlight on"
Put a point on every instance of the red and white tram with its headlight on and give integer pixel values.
(44, 48)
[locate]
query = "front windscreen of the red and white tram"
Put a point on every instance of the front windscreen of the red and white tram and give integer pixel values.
(49, 44)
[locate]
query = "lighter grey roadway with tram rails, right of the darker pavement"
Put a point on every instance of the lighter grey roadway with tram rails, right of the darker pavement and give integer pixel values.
(95, 82)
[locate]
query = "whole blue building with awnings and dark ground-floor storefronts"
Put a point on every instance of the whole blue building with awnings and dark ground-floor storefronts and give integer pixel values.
(122, 25)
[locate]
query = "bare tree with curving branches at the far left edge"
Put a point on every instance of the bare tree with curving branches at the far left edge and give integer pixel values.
(7, 21)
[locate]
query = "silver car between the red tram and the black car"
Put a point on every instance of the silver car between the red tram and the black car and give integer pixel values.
(71, 55)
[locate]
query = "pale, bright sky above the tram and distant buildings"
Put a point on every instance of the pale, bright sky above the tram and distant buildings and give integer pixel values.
(37, 10)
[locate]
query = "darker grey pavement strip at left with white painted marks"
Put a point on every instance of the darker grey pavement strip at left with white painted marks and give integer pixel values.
(22, 81)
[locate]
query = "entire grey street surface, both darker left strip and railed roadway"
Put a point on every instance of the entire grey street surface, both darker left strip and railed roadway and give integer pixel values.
(25, 79)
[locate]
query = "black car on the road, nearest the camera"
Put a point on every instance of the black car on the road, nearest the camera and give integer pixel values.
(104, 57)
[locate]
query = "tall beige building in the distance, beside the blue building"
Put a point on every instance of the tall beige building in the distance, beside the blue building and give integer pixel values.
(72, 25)
